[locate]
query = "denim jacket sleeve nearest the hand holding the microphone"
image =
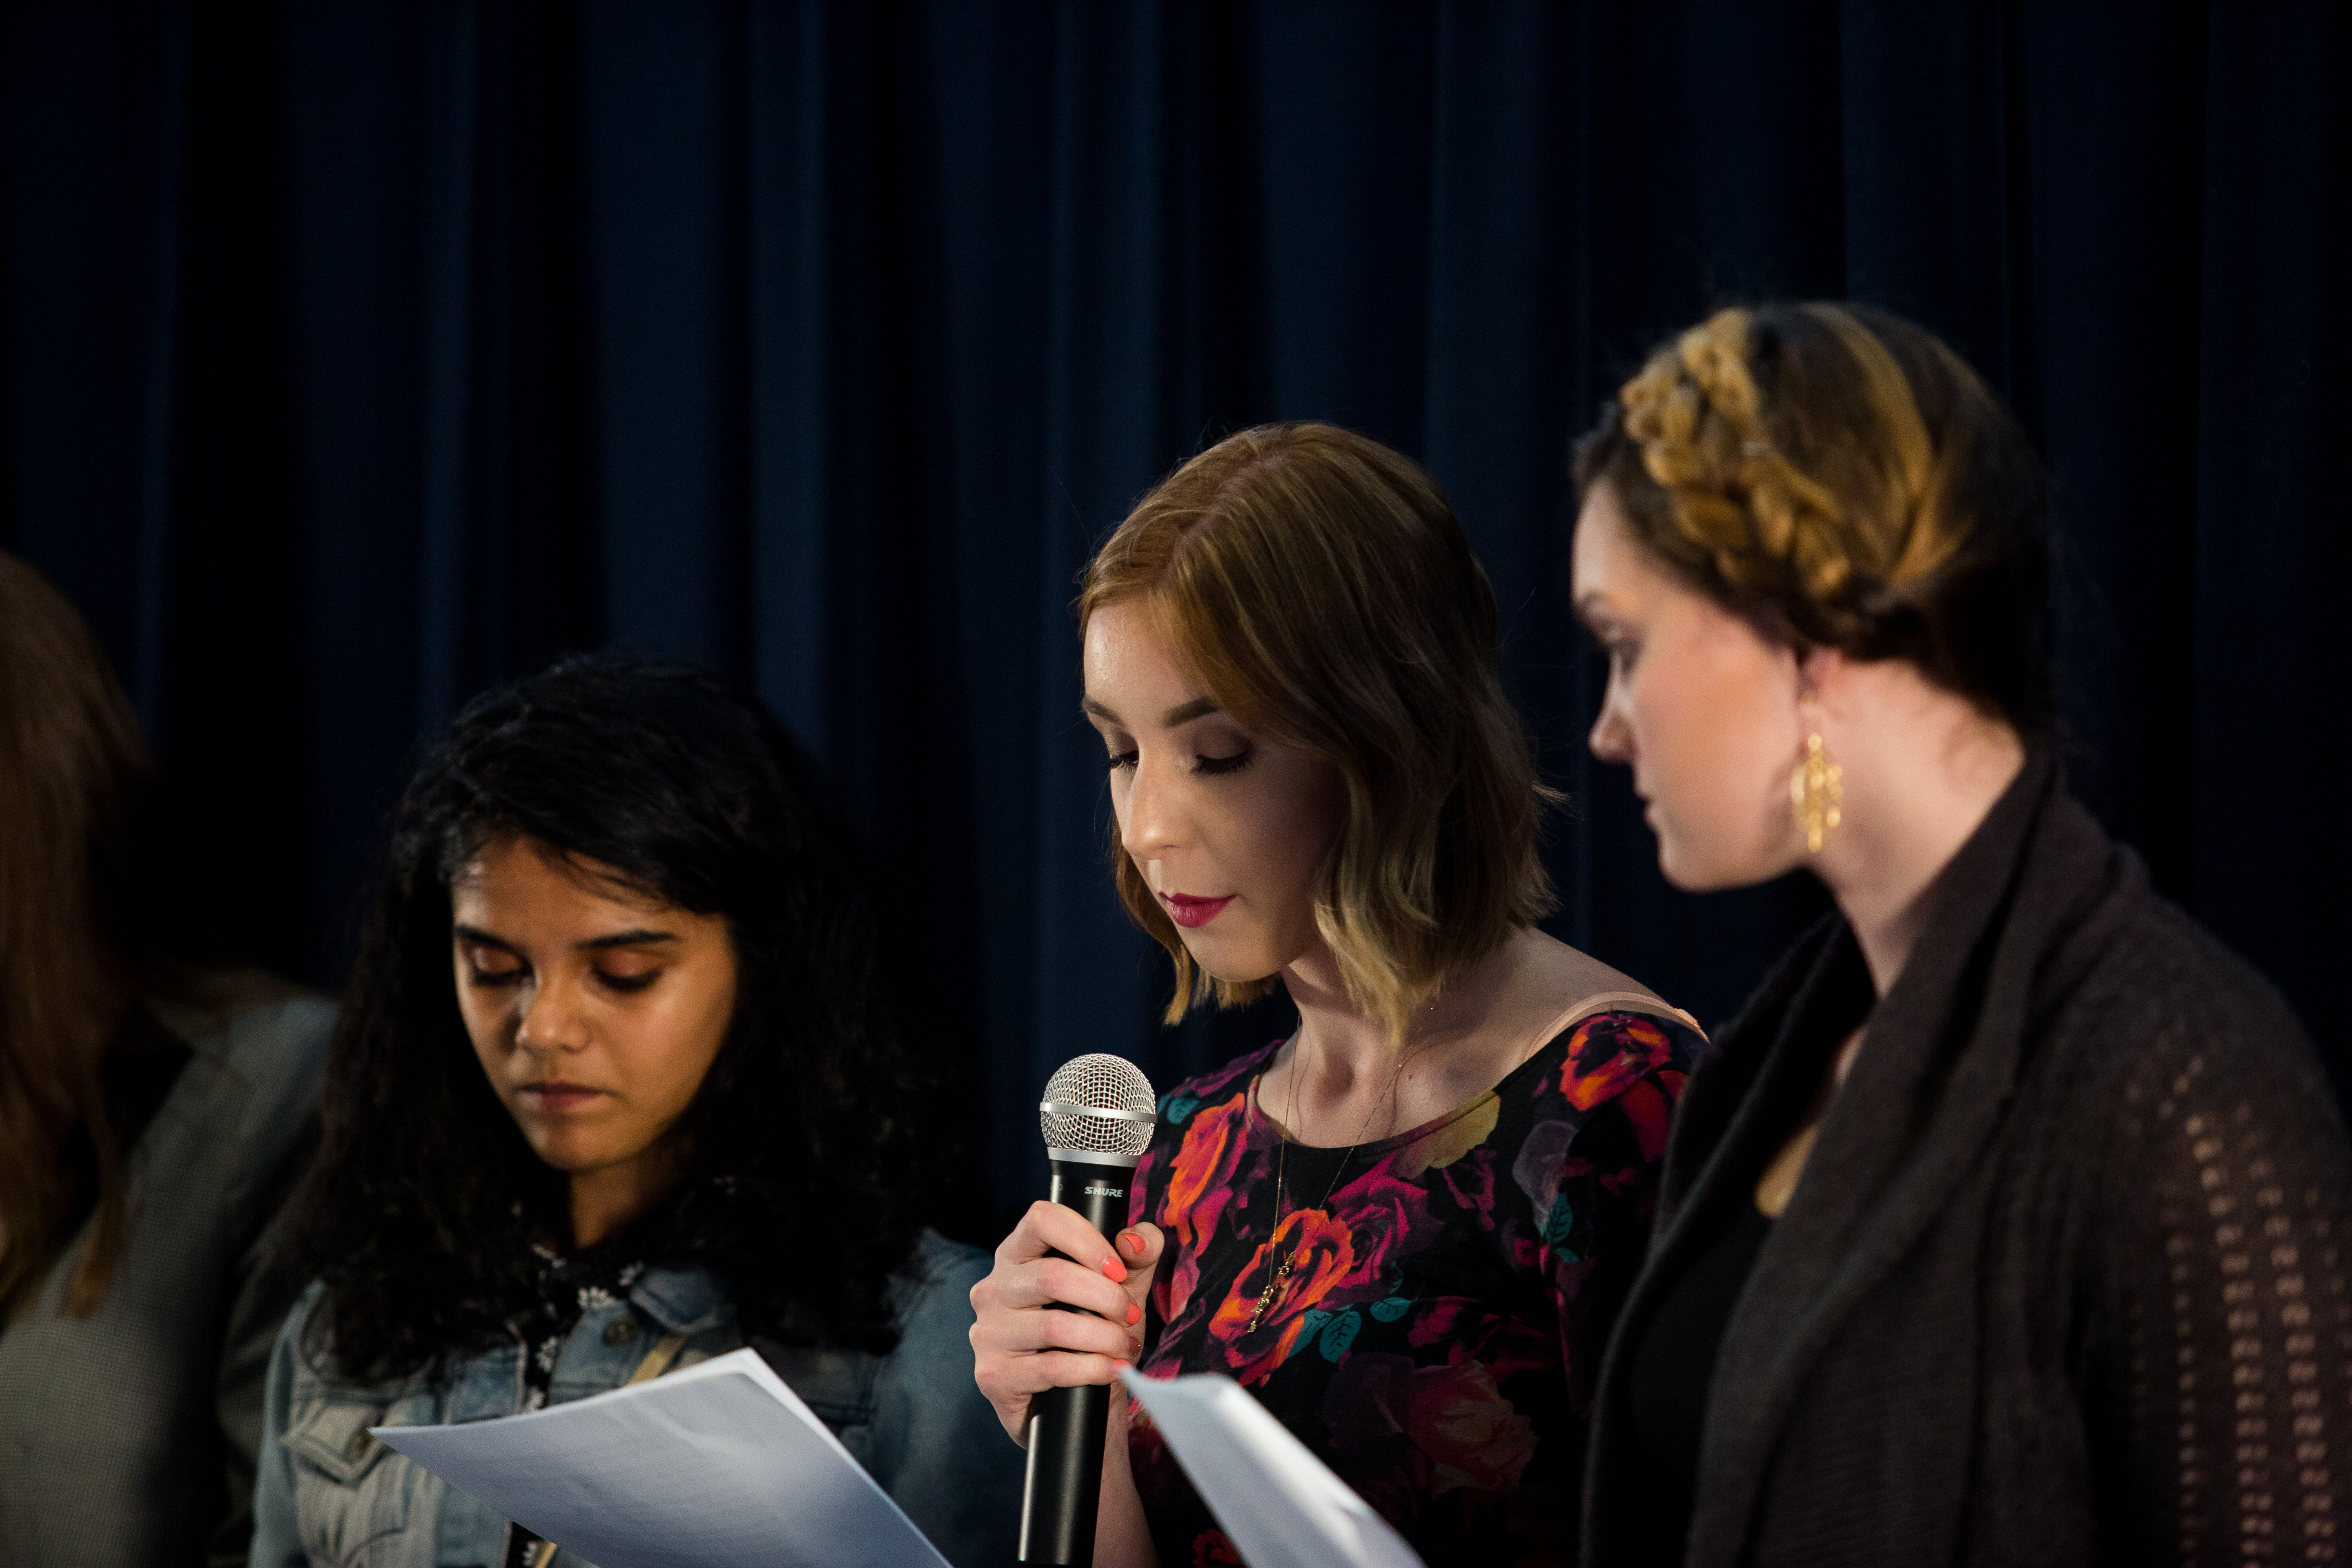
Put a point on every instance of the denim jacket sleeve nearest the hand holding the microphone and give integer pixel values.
(942, 1452)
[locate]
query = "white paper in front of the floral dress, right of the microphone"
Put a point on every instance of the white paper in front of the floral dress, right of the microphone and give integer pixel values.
(1278, 1503)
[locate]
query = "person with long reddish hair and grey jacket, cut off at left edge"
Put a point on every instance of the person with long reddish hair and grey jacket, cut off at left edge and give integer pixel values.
(156, 1108)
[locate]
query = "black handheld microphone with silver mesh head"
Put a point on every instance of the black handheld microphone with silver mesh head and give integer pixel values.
(1097, 1120)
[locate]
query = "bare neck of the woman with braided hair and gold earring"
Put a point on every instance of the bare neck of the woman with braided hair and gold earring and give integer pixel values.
(1916, 793)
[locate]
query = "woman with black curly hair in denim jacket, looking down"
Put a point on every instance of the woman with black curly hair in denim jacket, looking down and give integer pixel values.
(615, 1092)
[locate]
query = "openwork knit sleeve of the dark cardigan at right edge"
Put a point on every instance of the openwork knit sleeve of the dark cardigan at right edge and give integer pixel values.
(2231, 1285)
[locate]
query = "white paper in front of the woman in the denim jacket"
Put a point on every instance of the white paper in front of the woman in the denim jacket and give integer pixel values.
(719, 1466)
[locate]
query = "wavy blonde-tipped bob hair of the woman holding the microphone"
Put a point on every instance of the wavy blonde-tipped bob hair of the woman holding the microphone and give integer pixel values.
(1323, 594)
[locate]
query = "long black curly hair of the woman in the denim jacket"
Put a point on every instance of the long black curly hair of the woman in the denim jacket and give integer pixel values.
(806, 1148)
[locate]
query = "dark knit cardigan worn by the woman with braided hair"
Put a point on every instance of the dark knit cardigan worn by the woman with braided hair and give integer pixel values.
(2064, 1280)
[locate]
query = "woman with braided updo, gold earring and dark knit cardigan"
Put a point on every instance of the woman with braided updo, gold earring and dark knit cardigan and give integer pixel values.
(2007, 1221)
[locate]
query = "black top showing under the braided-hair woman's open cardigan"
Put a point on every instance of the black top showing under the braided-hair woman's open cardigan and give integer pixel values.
(1676, 1360)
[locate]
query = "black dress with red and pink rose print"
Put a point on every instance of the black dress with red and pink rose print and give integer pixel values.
(1443, 1325)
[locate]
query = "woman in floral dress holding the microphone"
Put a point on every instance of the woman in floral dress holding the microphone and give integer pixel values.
(1408, 1226)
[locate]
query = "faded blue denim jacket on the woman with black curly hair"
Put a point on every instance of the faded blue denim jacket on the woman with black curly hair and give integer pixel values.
(914, 1419)
